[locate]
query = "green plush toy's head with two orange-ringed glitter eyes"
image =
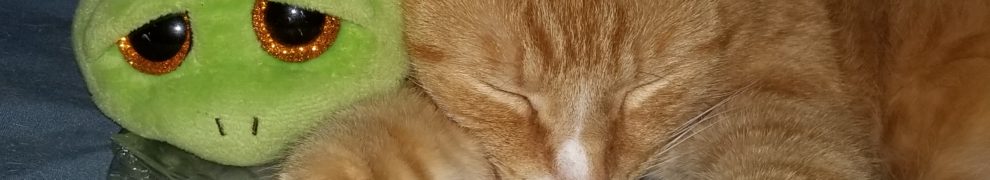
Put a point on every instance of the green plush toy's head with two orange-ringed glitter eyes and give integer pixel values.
(235, 81)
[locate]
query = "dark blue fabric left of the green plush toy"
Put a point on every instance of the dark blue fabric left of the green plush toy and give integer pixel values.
(49, 128)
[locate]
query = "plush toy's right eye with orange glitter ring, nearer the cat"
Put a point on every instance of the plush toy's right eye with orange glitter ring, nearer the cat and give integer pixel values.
(291, 33)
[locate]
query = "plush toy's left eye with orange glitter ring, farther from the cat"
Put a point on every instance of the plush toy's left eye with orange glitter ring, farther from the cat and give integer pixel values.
(159, 46)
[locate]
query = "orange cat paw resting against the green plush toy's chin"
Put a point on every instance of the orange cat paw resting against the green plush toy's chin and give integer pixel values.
(394, 135)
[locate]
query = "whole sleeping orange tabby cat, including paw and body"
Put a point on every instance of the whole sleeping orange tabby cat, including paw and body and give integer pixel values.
(680, 89)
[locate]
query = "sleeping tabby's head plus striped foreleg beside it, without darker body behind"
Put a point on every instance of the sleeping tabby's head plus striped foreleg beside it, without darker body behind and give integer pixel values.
(683, 89)
